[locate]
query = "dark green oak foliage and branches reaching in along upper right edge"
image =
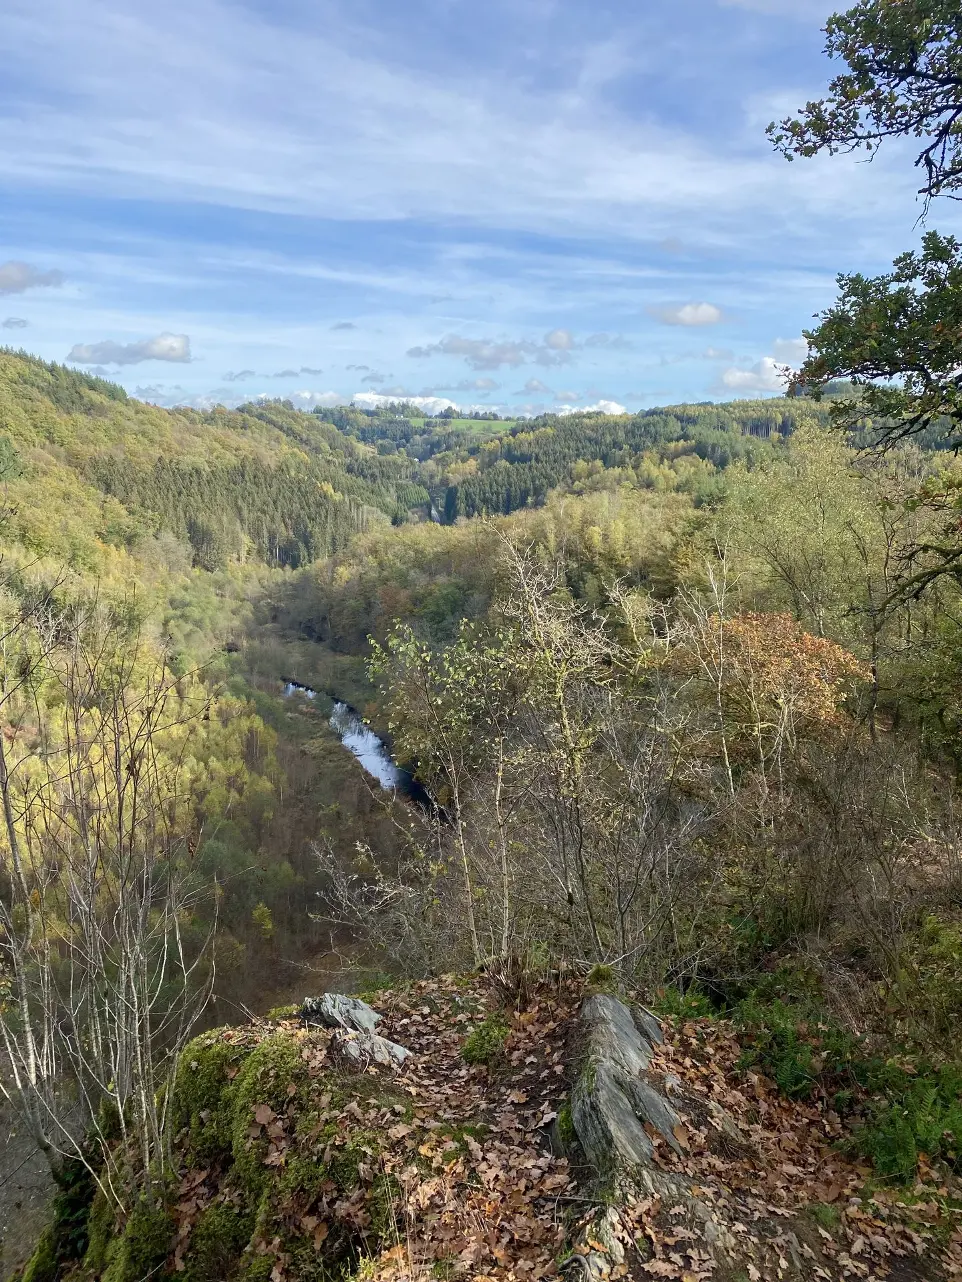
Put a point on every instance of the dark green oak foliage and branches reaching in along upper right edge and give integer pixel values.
(896, 338)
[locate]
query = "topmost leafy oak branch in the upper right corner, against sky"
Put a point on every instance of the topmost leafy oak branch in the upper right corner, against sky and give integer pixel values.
(905, 80)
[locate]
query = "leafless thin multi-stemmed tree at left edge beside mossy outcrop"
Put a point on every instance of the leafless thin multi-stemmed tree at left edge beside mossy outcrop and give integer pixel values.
(103, 989)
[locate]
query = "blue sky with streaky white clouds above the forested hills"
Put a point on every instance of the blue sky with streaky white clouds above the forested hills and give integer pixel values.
(524, 204)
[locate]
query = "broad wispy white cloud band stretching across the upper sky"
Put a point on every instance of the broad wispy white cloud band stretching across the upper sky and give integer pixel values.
(199, 99)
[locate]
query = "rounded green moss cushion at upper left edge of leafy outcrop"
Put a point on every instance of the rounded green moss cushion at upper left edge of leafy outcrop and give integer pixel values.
(203, 1094)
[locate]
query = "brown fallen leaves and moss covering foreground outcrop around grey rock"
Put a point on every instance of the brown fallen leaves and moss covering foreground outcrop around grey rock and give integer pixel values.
(446, 1169)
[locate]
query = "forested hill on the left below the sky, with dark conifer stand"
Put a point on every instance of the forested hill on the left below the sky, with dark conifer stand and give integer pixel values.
(89, 470)
